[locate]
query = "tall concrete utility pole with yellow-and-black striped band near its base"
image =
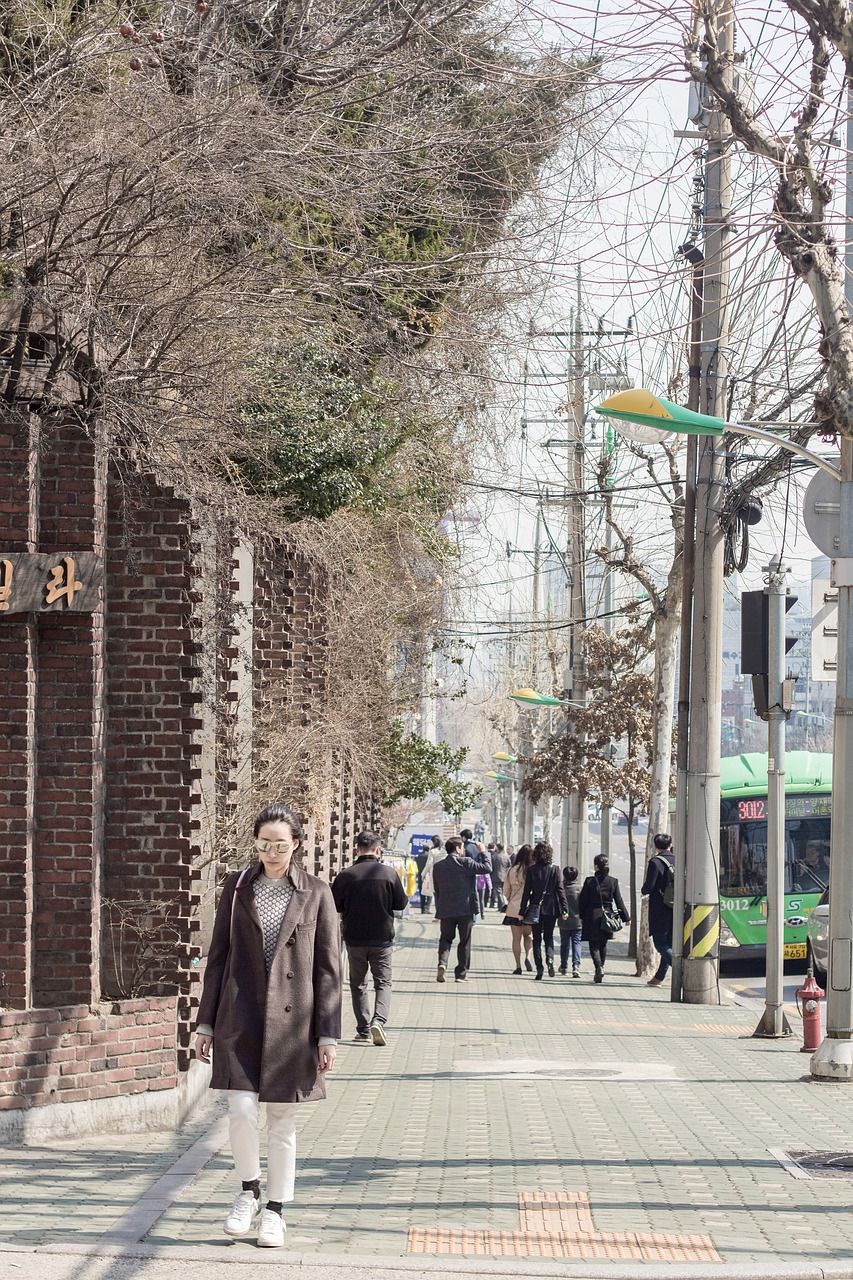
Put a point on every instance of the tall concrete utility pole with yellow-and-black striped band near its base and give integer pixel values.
(701, 941)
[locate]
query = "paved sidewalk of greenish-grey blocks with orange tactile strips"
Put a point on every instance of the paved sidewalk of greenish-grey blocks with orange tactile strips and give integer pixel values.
(554, 1127)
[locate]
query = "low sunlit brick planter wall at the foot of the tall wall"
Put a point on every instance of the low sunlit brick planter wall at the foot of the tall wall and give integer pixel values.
(76, 1053)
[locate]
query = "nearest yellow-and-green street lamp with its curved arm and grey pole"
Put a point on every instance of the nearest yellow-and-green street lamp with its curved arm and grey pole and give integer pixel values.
(834, 1059)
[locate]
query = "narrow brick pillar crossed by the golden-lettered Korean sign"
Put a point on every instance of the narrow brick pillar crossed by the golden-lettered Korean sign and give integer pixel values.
(70, 719)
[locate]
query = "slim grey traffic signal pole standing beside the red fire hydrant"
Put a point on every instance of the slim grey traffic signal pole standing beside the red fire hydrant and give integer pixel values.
(773, 1021)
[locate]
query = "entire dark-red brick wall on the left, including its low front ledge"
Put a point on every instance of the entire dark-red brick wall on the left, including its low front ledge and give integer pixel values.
(117, 760)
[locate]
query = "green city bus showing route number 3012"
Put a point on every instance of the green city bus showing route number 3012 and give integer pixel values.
(743, 849)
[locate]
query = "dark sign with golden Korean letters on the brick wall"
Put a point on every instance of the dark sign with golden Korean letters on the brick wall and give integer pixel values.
(51, 582)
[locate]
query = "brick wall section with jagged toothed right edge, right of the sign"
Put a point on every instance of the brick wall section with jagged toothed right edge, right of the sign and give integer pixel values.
(153, 779)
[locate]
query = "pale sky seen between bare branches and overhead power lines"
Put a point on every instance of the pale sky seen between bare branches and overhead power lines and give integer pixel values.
(614, 218)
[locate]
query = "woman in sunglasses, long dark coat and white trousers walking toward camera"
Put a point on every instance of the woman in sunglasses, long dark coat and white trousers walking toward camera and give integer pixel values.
(271, 1011)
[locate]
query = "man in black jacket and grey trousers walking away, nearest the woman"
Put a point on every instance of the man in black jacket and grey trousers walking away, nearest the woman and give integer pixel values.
(367, 895)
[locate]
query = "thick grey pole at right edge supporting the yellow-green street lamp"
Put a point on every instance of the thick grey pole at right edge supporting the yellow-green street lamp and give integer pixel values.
(834, 1059)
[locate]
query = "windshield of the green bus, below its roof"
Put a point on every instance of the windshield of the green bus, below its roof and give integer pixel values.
(743, 847)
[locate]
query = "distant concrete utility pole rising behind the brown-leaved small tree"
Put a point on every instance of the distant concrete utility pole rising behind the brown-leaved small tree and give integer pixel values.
(574, 810)
